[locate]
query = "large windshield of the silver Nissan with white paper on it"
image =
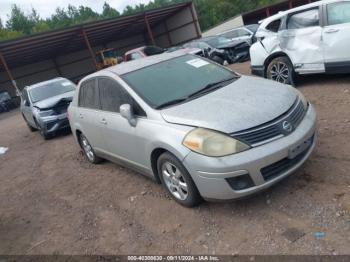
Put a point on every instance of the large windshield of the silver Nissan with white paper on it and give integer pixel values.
(175, 79)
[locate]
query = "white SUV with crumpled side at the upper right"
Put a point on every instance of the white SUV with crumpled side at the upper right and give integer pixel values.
(310, 39)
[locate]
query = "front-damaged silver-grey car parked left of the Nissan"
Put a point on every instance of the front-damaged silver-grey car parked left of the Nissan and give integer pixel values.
(44, 105)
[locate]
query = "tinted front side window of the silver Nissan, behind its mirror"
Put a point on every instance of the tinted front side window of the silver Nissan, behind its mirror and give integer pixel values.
(113, 95)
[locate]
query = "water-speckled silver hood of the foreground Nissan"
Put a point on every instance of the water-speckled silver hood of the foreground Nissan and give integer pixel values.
(245, 103)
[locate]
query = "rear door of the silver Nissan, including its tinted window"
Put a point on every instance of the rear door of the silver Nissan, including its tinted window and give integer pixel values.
(89, 113)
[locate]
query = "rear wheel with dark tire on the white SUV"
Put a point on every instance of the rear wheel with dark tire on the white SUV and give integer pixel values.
(280, 69)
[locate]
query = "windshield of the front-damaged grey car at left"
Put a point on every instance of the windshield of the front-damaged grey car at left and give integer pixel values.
(50, 90)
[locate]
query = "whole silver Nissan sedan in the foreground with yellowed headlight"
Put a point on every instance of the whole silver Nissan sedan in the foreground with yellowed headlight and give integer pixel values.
(200, 129)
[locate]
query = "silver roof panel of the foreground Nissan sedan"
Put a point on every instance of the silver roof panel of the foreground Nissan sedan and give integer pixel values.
(137, 64)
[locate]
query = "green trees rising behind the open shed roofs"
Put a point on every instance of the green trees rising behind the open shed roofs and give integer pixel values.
(210, 13)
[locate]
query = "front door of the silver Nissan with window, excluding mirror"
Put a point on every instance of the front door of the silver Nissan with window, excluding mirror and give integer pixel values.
(122, 139)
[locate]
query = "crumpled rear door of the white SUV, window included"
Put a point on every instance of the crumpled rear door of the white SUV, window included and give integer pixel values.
(302, 40)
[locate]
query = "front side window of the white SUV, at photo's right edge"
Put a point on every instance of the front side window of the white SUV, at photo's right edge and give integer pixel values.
(338, 13)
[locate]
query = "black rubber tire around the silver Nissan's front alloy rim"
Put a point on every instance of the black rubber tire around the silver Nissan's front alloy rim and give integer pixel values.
(193, 197)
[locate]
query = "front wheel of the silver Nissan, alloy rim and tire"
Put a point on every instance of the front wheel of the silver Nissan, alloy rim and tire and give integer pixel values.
(177, 181)
